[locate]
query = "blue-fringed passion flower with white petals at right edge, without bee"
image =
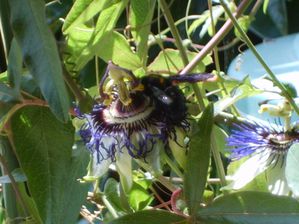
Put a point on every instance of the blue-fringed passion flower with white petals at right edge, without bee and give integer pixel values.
(266, 148)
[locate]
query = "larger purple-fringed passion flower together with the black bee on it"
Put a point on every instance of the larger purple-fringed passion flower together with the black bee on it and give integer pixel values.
(135, 116)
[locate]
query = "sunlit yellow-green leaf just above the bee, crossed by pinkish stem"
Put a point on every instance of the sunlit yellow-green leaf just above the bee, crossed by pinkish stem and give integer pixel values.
(170, 60)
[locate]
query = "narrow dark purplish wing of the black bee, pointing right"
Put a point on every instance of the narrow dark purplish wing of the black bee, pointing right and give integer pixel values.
(191, 78)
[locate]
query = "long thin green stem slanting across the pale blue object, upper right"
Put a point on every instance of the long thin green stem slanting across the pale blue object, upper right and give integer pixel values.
(259, 57)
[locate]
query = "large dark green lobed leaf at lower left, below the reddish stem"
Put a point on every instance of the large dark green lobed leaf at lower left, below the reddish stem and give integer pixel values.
(44, 148)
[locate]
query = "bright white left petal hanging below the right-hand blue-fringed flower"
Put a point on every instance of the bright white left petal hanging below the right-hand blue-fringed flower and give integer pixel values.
(251, 168)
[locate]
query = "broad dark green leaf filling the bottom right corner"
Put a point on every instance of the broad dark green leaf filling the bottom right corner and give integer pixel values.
(251, 208)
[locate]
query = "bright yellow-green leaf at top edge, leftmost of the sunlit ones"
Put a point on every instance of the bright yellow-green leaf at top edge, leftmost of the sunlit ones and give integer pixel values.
(83, 11)
